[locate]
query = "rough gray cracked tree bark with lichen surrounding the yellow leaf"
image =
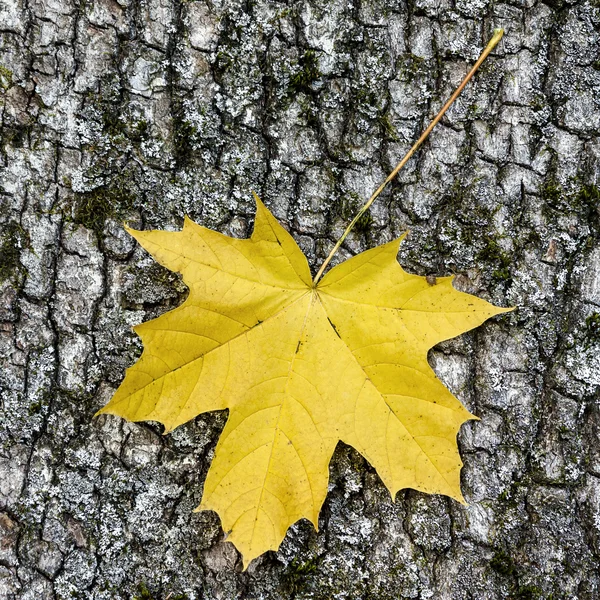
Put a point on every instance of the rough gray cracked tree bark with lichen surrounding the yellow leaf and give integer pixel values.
(147, 110)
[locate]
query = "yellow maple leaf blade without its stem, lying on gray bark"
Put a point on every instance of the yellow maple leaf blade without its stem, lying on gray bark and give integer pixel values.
(300, 366)
